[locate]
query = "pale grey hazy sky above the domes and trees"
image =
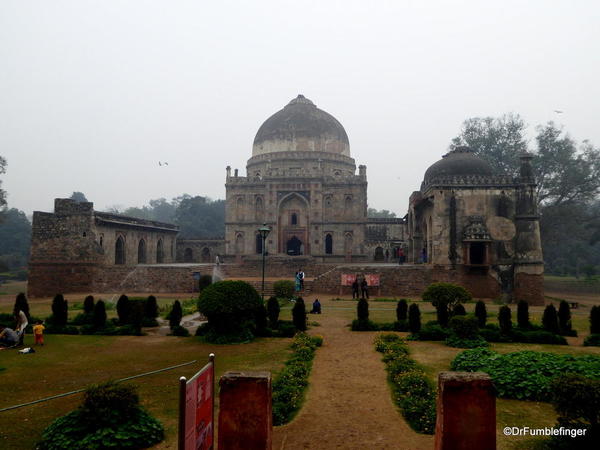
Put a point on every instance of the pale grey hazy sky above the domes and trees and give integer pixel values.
(93, 94)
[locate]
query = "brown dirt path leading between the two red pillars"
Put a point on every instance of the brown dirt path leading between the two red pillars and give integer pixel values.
(348, 404)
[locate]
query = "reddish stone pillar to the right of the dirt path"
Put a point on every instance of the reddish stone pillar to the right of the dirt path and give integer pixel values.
(466, 412)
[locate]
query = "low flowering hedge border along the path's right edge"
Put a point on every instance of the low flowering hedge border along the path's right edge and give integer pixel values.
(412, 391)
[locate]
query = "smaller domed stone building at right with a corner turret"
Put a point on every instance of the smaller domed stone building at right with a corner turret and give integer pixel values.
(479, 227)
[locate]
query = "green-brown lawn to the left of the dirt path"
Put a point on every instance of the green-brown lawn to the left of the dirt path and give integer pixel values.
(68, 363)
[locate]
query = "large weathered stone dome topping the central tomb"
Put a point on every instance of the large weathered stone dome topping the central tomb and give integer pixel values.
(301, 126)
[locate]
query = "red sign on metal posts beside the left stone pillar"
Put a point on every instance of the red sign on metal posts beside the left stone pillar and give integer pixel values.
(196, 409)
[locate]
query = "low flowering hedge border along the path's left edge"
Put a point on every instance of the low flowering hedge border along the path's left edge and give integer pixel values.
(292, 381)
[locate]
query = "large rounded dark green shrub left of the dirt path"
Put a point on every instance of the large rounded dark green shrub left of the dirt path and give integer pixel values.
(230, 308)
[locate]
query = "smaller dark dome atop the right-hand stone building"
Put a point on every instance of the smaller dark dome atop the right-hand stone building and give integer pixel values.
(461, 161)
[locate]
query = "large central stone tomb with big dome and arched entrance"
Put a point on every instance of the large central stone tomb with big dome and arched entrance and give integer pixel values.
(301, 181)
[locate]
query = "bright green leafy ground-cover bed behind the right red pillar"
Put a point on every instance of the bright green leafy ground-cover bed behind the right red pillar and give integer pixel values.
(525, 375)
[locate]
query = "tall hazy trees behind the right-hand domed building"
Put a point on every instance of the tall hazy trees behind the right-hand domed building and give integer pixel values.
(568, 176)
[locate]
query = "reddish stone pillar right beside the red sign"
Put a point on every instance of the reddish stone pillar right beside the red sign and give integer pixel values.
(245, 414)
